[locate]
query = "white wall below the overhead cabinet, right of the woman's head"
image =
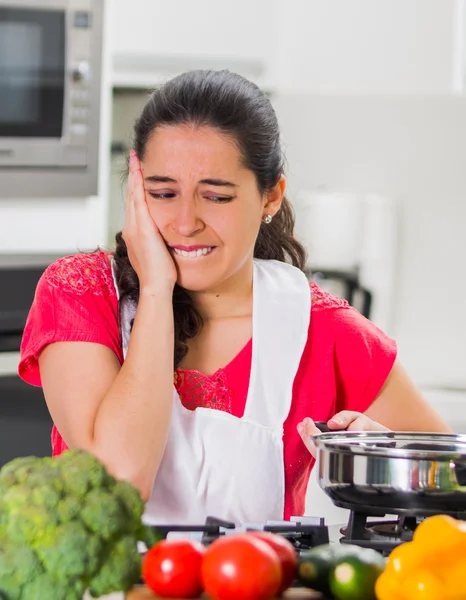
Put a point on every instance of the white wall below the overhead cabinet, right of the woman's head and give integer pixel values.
(411, 149)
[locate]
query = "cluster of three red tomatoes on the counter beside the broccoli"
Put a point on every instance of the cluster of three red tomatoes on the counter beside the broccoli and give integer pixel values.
(250, 566)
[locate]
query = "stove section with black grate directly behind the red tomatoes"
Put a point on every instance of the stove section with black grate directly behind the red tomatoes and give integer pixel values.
(303, 532)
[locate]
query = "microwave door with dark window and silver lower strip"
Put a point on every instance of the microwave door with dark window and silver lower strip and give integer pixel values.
(32, 85)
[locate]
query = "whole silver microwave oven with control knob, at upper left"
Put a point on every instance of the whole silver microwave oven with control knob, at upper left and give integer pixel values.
(50, 81)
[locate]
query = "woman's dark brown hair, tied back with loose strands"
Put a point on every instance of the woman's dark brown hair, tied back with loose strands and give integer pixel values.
(238, 108)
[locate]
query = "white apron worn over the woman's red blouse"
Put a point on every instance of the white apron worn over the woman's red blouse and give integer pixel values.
(216, 464)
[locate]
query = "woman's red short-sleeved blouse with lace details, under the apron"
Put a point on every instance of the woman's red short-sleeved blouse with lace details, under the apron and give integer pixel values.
(344, 364)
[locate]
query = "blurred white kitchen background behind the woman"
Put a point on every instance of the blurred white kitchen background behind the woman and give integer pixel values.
(371, 101)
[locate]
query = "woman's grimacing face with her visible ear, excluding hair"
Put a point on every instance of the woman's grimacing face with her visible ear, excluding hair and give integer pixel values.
(205, 203)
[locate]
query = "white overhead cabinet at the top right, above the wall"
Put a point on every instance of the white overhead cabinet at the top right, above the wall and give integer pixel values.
(405, 46)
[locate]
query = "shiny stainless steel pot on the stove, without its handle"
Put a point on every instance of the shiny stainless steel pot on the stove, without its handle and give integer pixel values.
(393, 472)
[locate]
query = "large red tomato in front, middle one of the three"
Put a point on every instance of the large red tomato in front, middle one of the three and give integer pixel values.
(241, 567)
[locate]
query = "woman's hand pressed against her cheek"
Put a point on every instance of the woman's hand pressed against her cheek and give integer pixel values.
(147, 250)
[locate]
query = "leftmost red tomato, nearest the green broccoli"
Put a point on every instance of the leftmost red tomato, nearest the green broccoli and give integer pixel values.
(172, 568)
